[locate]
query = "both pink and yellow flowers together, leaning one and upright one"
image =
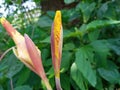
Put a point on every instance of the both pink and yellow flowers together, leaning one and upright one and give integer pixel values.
(30, 55)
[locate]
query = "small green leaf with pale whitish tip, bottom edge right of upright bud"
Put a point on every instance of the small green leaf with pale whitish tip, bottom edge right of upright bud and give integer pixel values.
(77, 77)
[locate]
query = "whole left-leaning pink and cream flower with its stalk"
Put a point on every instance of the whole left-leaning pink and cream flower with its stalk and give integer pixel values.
(28, 54)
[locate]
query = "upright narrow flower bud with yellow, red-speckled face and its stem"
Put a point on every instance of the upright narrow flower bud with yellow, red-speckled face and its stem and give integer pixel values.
(56, 46)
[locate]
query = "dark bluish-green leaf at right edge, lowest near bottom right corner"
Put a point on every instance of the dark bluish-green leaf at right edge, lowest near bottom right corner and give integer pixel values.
(112, 76)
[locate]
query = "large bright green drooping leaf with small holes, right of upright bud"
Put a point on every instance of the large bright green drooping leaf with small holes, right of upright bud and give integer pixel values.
(83, 60)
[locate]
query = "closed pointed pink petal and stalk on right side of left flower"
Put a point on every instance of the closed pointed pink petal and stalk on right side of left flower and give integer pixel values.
(36, 59)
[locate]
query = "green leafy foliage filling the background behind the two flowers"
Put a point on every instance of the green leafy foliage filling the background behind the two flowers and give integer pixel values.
(91, 48)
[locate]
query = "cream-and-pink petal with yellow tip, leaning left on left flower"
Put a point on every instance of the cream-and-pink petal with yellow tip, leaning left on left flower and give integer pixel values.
(20, 51)
